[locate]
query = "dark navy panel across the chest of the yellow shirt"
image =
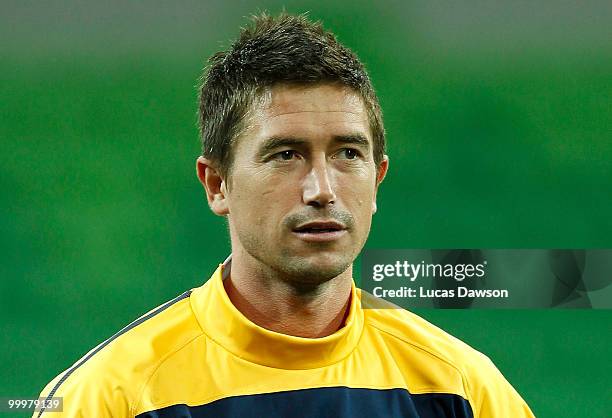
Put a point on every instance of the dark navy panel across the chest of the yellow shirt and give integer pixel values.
(333, 402)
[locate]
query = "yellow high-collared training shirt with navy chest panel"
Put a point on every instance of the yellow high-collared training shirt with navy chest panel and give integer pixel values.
(198, 356)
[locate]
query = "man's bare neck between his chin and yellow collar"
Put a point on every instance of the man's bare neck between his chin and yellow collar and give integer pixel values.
(279, 305)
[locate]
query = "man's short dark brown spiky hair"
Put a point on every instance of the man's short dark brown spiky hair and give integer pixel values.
(272, 50)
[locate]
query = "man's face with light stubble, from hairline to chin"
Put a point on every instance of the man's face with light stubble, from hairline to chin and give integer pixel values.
(302, 187)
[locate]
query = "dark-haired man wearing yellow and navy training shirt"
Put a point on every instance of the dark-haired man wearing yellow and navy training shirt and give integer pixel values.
(293, 155)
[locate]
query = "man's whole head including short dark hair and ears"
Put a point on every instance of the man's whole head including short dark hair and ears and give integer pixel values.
(293, 148)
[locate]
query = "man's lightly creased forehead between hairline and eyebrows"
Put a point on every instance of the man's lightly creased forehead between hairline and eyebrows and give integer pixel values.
(310, 112)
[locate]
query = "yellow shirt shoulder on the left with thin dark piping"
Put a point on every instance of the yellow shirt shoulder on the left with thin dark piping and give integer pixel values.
(112, 375)
